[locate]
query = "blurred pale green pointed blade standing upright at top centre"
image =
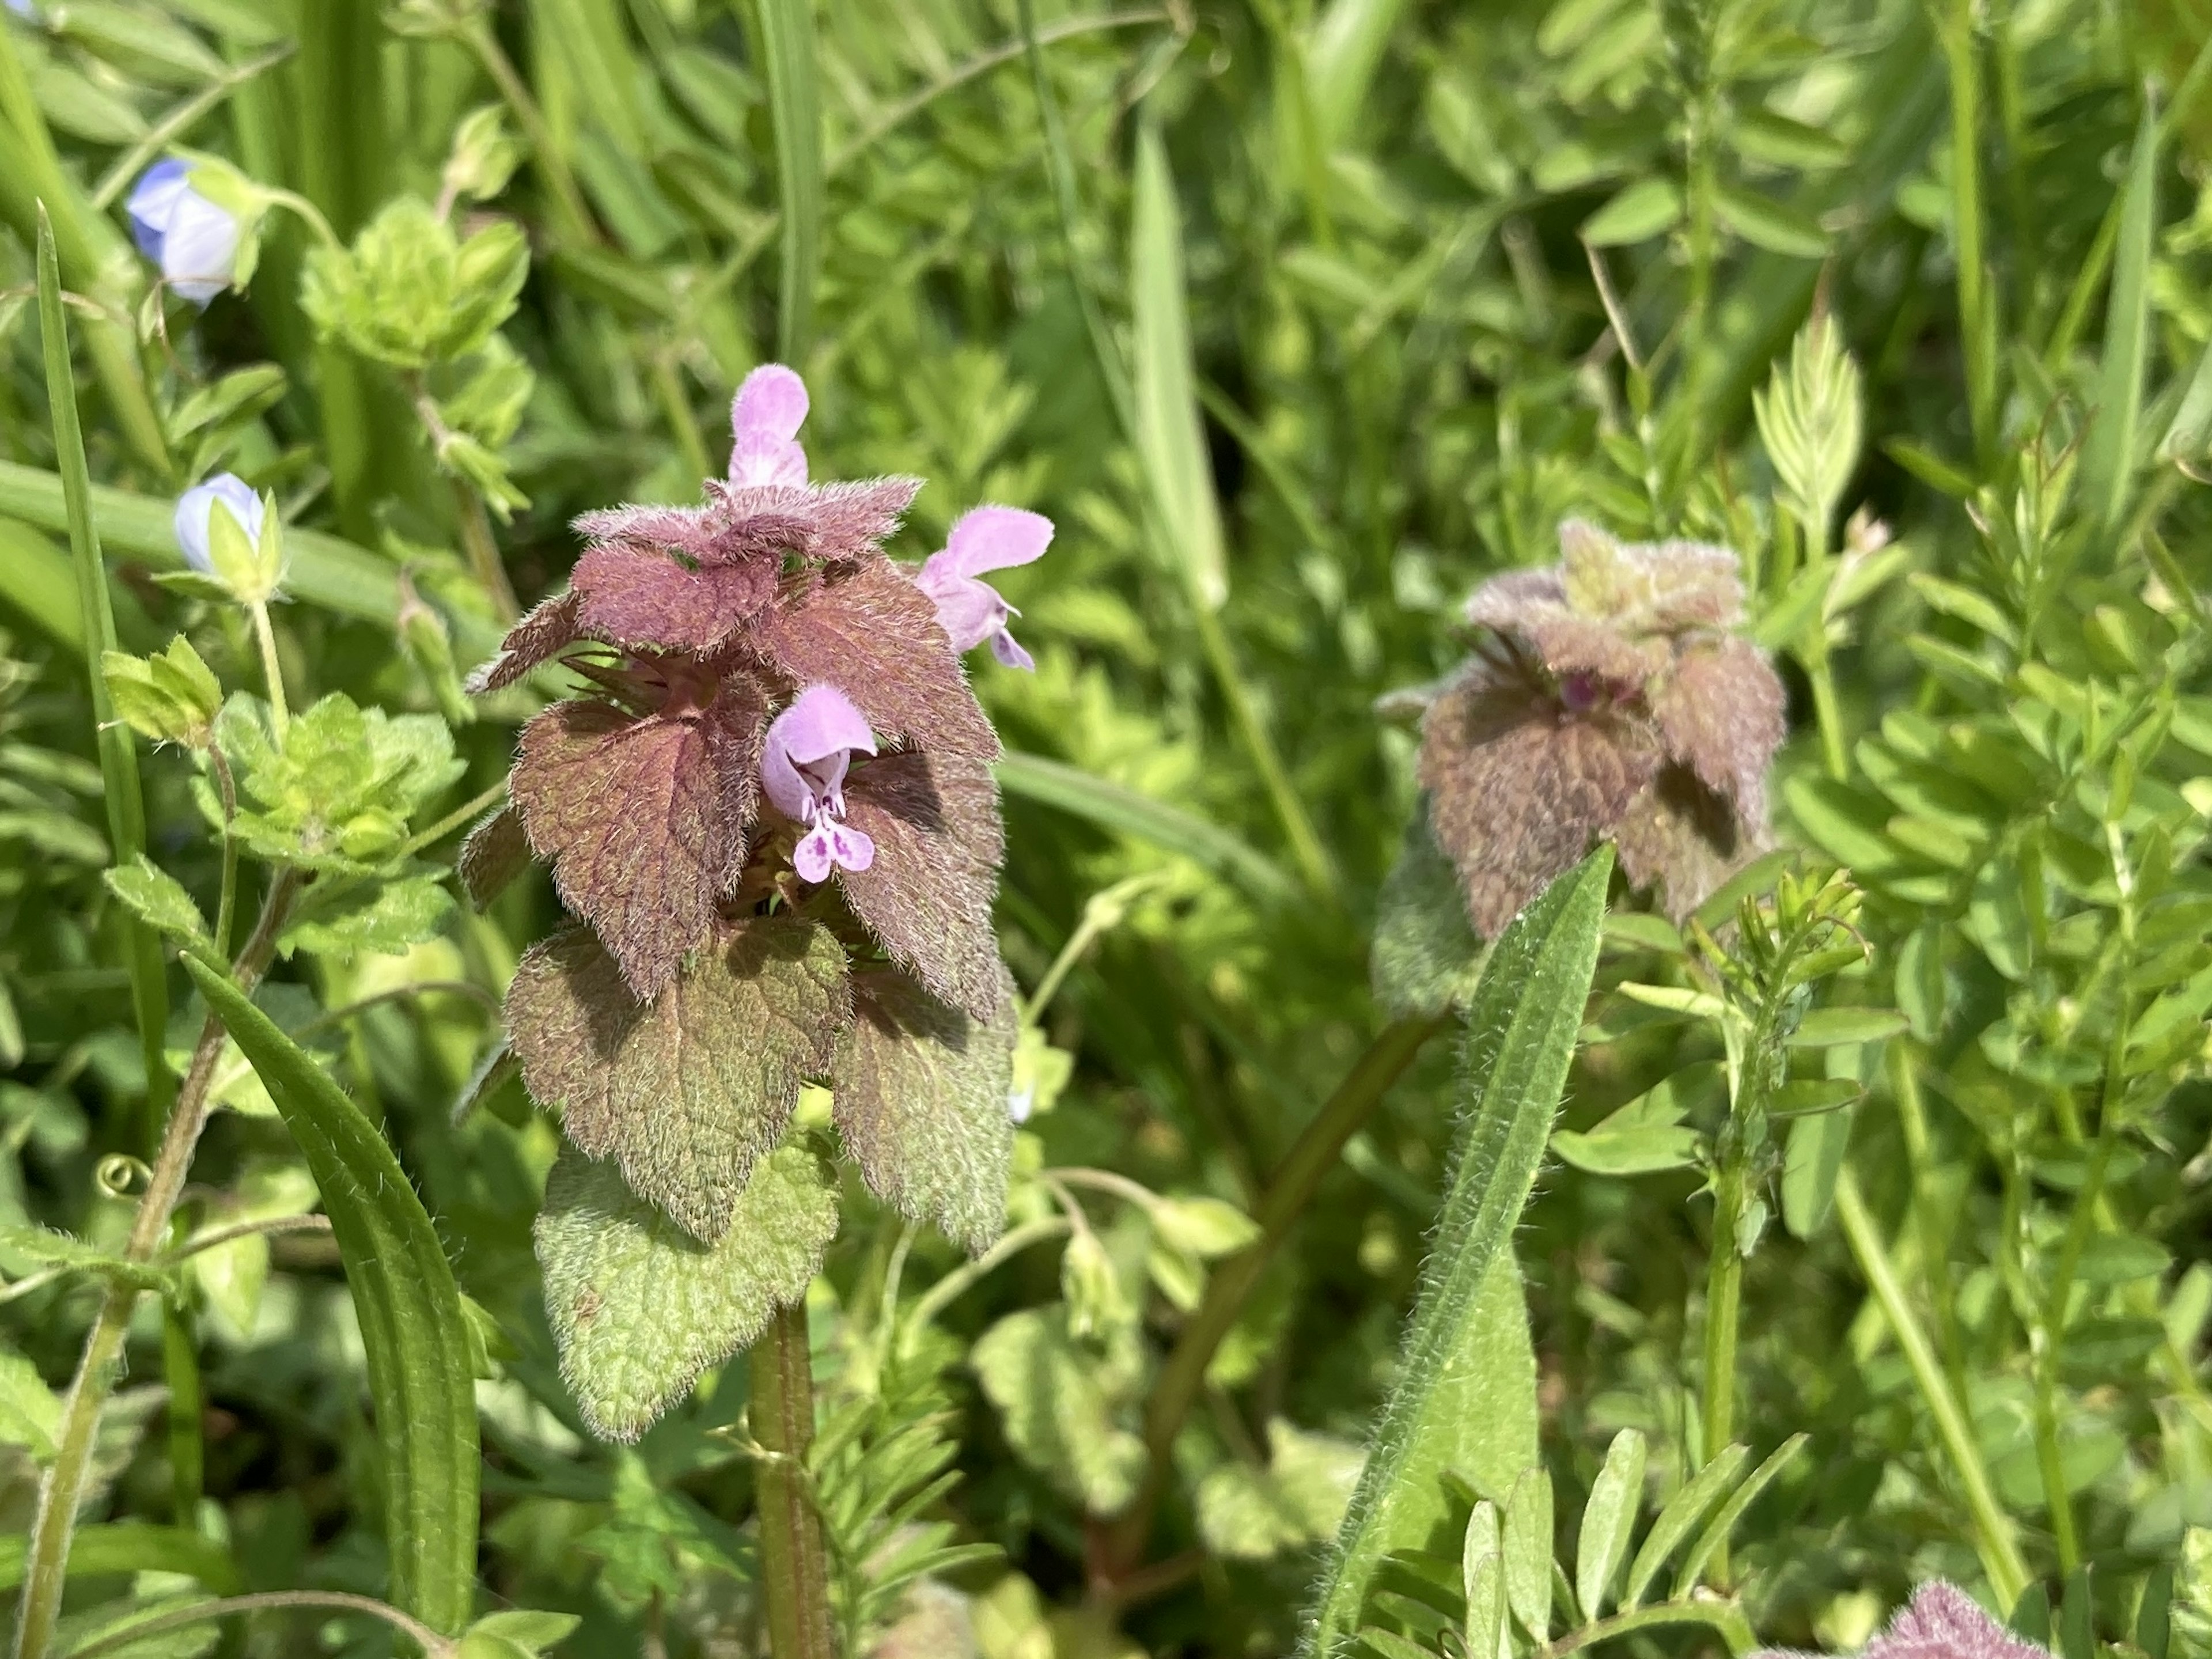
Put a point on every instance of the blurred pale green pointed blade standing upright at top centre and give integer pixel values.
(1169, 437)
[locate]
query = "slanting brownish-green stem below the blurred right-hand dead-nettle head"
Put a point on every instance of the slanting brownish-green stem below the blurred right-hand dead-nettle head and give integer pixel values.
(1293, 1187)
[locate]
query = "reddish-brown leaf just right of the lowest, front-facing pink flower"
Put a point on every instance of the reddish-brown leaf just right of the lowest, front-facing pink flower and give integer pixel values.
(928, 893)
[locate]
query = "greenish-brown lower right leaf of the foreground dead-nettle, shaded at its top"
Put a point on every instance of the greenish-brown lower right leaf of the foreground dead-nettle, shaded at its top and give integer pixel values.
(921, 1100)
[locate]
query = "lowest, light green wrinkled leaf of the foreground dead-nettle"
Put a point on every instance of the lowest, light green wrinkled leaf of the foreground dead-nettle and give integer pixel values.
(616, 1266)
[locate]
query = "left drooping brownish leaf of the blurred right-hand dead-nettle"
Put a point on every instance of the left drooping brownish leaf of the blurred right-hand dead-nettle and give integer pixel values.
(1519, 789)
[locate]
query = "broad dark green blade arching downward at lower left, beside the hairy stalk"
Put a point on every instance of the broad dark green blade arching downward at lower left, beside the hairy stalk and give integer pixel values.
(413, 1331)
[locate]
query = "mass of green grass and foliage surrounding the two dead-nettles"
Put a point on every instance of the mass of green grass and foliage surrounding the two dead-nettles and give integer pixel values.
(1300, 322)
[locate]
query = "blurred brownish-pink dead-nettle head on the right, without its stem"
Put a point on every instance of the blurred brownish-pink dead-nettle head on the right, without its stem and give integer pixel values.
(1607, 698)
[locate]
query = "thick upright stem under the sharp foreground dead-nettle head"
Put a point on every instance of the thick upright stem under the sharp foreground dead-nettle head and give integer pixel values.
(795, 1563)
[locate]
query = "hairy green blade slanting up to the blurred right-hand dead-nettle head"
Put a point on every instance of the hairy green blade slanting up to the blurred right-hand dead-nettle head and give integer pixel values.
(1519, 1050)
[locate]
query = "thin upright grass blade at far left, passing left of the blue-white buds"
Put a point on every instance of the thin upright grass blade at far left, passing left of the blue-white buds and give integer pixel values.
(118, 751)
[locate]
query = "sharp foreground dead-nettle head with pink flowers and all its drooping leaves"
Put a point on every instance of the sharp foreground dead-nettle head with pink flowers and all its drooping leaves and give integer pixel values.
(775, 822)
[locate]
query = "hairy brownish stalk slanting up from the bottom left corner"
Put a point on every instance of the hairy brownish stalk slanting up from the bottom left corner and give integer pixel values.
(63, 1490)
